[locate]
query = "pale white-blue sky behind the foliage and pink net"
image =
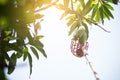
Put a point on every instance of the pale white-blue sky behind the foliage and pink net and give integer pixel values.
(103, 52)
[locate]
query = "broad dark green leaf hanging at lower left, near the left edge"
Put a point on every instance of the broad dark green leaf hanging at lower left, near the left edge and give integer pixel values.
(12, 63)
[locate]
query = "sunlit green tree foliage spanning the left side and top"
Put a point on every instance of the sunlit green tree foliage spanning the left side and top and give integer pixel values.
(18, 17)
